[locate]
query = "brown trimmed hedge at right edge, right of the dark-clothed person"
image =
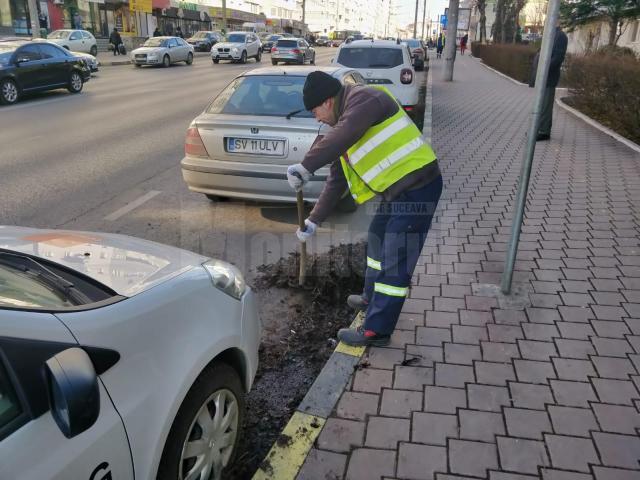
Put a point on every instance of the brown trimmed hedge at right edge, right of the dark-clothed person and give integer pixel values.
(606, 87)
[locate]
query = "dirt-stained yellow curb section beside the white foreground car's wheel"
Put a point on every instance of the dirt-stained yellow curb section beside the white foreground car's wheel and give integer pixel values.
(290, 450)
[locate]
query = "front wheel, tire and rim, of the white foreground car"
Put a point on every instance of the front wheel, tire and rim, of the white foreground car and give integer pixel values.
(217, 383)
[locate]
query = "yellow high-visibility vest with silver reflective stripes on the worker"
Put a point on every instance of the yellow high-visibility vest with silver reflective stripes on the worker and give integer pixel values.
(384, 154)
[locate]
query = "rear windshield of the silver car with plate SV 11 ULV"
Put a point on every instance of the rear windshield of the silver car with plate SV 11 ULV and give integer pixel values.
(269, 95)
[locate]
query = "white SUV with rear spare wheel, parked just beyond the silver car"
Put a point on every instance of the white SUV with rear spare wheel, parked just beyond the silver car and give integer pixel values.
(386, 63)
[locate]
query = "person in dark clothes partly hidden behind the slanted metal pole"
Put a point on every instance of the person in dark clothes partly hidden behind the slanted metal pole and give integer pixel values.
(558, 54)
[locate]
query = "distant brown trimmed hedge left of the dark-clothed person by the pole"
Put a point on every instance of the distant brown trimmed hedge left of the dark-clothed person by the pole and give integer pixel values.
(514, 60)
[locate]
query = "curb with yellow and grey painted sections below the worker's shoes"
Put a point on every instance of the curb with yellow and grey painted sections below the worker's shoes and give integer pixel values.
(290, 450)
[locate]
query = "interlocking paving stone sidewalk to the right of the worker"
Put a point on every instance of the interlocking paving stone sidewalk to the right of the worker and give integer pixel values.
(551, 391)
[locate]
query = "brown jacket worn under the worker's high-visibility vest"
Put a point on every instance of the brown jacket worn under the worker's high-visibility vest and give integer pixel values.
(359, 108)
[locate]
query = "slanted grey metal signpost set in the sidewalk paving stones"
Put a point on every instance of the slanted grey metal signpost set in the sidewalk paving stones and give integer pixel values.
(525, 172)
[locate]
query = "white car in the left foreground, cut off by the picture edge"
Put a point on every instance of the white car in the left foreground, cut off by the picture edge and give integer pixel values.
(120, 358)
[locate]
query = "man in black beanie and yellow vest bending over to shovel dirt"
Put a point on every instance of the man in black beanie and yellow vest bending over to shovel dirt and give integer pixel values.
(374, 149)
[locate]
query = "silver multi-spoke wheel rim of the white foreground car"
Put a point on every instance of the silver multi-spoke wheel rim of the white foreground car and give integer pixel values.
(211, 438)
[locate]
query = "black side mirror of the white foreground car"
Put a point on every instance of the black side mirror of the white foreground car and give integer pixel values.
(74, 395)
